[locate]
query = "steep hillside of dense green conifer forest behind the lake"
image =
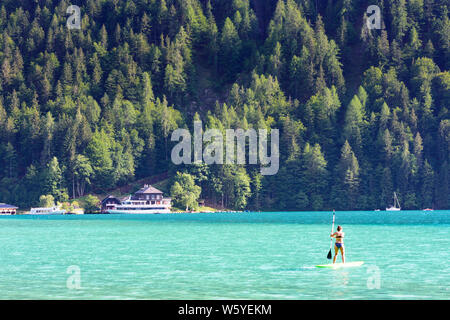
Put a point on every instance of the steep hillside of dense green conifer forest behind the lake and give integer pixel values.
(362, 113)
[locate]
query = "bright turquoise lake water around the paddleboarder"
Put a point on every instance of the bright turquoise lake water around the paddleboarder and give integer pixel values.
(224, 256)
